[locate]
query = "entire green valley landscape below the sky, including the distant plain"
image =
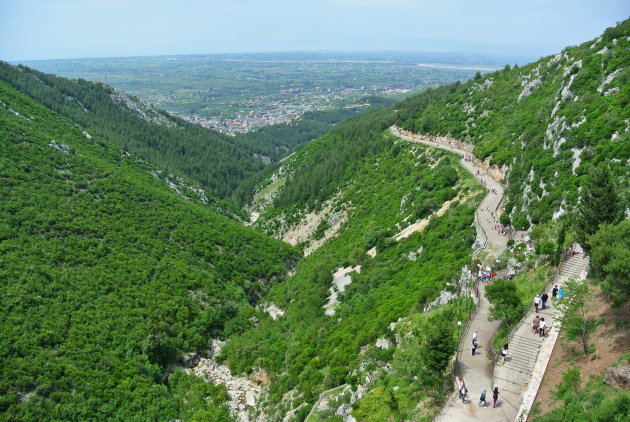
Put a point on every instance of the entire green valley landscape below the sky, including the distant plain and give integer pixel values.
(324, 269)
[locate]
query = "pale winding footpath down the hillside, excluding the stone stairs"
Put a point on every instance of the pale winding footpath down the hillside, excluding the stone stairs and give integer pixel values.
(476, 370)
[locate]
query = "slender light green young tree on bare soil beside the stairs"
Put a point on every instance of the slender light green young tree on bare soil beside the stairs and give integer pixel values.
(574, 308)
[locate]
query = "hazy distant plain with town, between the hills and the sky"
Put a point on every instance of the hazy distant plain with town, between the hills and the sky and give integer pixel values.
(237, 93)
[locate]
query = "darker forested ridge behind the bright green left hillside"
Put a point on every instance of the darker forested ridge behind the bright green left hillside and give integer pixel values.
(214, 160)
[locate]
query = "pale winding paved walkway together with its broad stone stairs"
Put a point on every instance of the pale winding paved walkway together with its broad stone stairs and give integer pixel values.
(520, 377)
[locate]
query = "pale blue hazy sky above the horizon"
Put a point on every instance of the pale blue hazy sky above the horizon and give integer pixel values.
(45, 29)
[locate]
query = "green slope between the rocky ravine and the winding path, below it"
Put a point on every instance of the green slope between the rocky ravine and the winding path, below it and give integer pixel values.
(369, 186)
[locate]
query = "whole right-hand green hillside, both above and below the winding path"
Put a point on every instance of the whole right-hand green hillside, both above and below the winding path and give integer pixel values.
(543, 126)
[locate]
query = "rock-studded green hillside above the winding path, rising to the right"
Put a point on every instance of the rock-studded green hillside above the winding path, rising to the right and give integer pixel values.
(544, 124)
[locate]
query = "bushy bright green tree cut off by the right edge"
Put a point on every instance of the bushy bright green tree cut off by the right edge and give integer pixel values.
(610, 259)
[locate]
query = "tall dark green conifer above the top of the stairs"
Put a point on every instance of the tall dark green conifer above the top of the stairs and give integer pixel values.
(600, 204)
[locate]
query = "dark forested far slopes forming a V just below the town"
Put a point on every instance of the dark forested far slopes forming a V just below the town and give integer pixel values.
(219, 163)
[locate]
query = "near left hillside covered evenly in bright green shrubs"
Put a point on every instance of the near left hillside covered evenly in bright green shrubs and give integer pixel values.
(108, 276)
